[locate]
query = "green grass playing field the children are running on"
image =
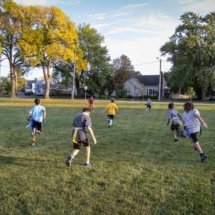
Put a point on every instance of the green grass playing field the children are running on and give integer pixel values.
(137, 169)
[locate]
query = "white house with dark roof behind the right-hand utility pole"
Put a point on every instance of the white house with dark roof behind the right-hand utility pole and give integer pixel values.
(147, 85)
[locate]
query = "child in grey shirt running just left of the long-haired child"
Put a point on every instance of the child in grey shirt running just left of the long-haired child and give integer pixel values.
(174, 118)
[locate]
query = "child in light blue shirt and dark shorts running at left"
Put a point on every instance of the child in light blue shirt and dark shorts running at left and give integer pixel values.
(37, 115)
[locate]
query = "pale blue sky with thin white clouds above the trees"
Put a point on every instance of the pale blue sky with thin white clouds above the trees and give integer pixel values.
(135, 28)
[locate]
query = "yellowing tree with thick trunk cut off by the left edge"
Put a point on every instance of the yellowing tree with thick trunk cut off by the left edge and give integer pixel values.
(11, 30)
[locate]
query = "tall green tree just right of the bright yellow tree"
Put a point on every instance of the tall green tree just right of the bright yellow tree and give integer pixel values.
(98, 79)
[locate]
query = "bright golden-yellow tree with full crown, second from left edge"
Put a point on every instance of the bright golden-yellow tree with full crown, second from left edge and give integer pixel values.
(51, 37)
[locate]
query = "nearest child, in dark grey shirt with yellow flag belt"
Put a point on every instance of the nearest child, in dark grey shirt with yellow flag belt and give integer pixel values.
(81, 122)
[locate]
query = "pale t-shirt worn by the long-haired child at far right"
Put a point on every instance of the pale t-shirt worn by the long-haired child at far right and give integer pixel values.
(191, 121)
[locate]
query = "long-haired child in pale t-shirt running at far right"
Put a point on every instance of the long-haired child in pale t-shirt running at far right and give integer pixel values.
(192, 121)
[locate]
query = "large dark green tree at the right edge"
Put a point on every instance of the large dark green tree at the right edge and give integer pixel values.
(191, 49)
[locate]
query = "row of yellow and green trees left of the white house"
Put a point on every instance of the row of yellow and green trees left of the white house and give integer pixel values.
(45, 38)
